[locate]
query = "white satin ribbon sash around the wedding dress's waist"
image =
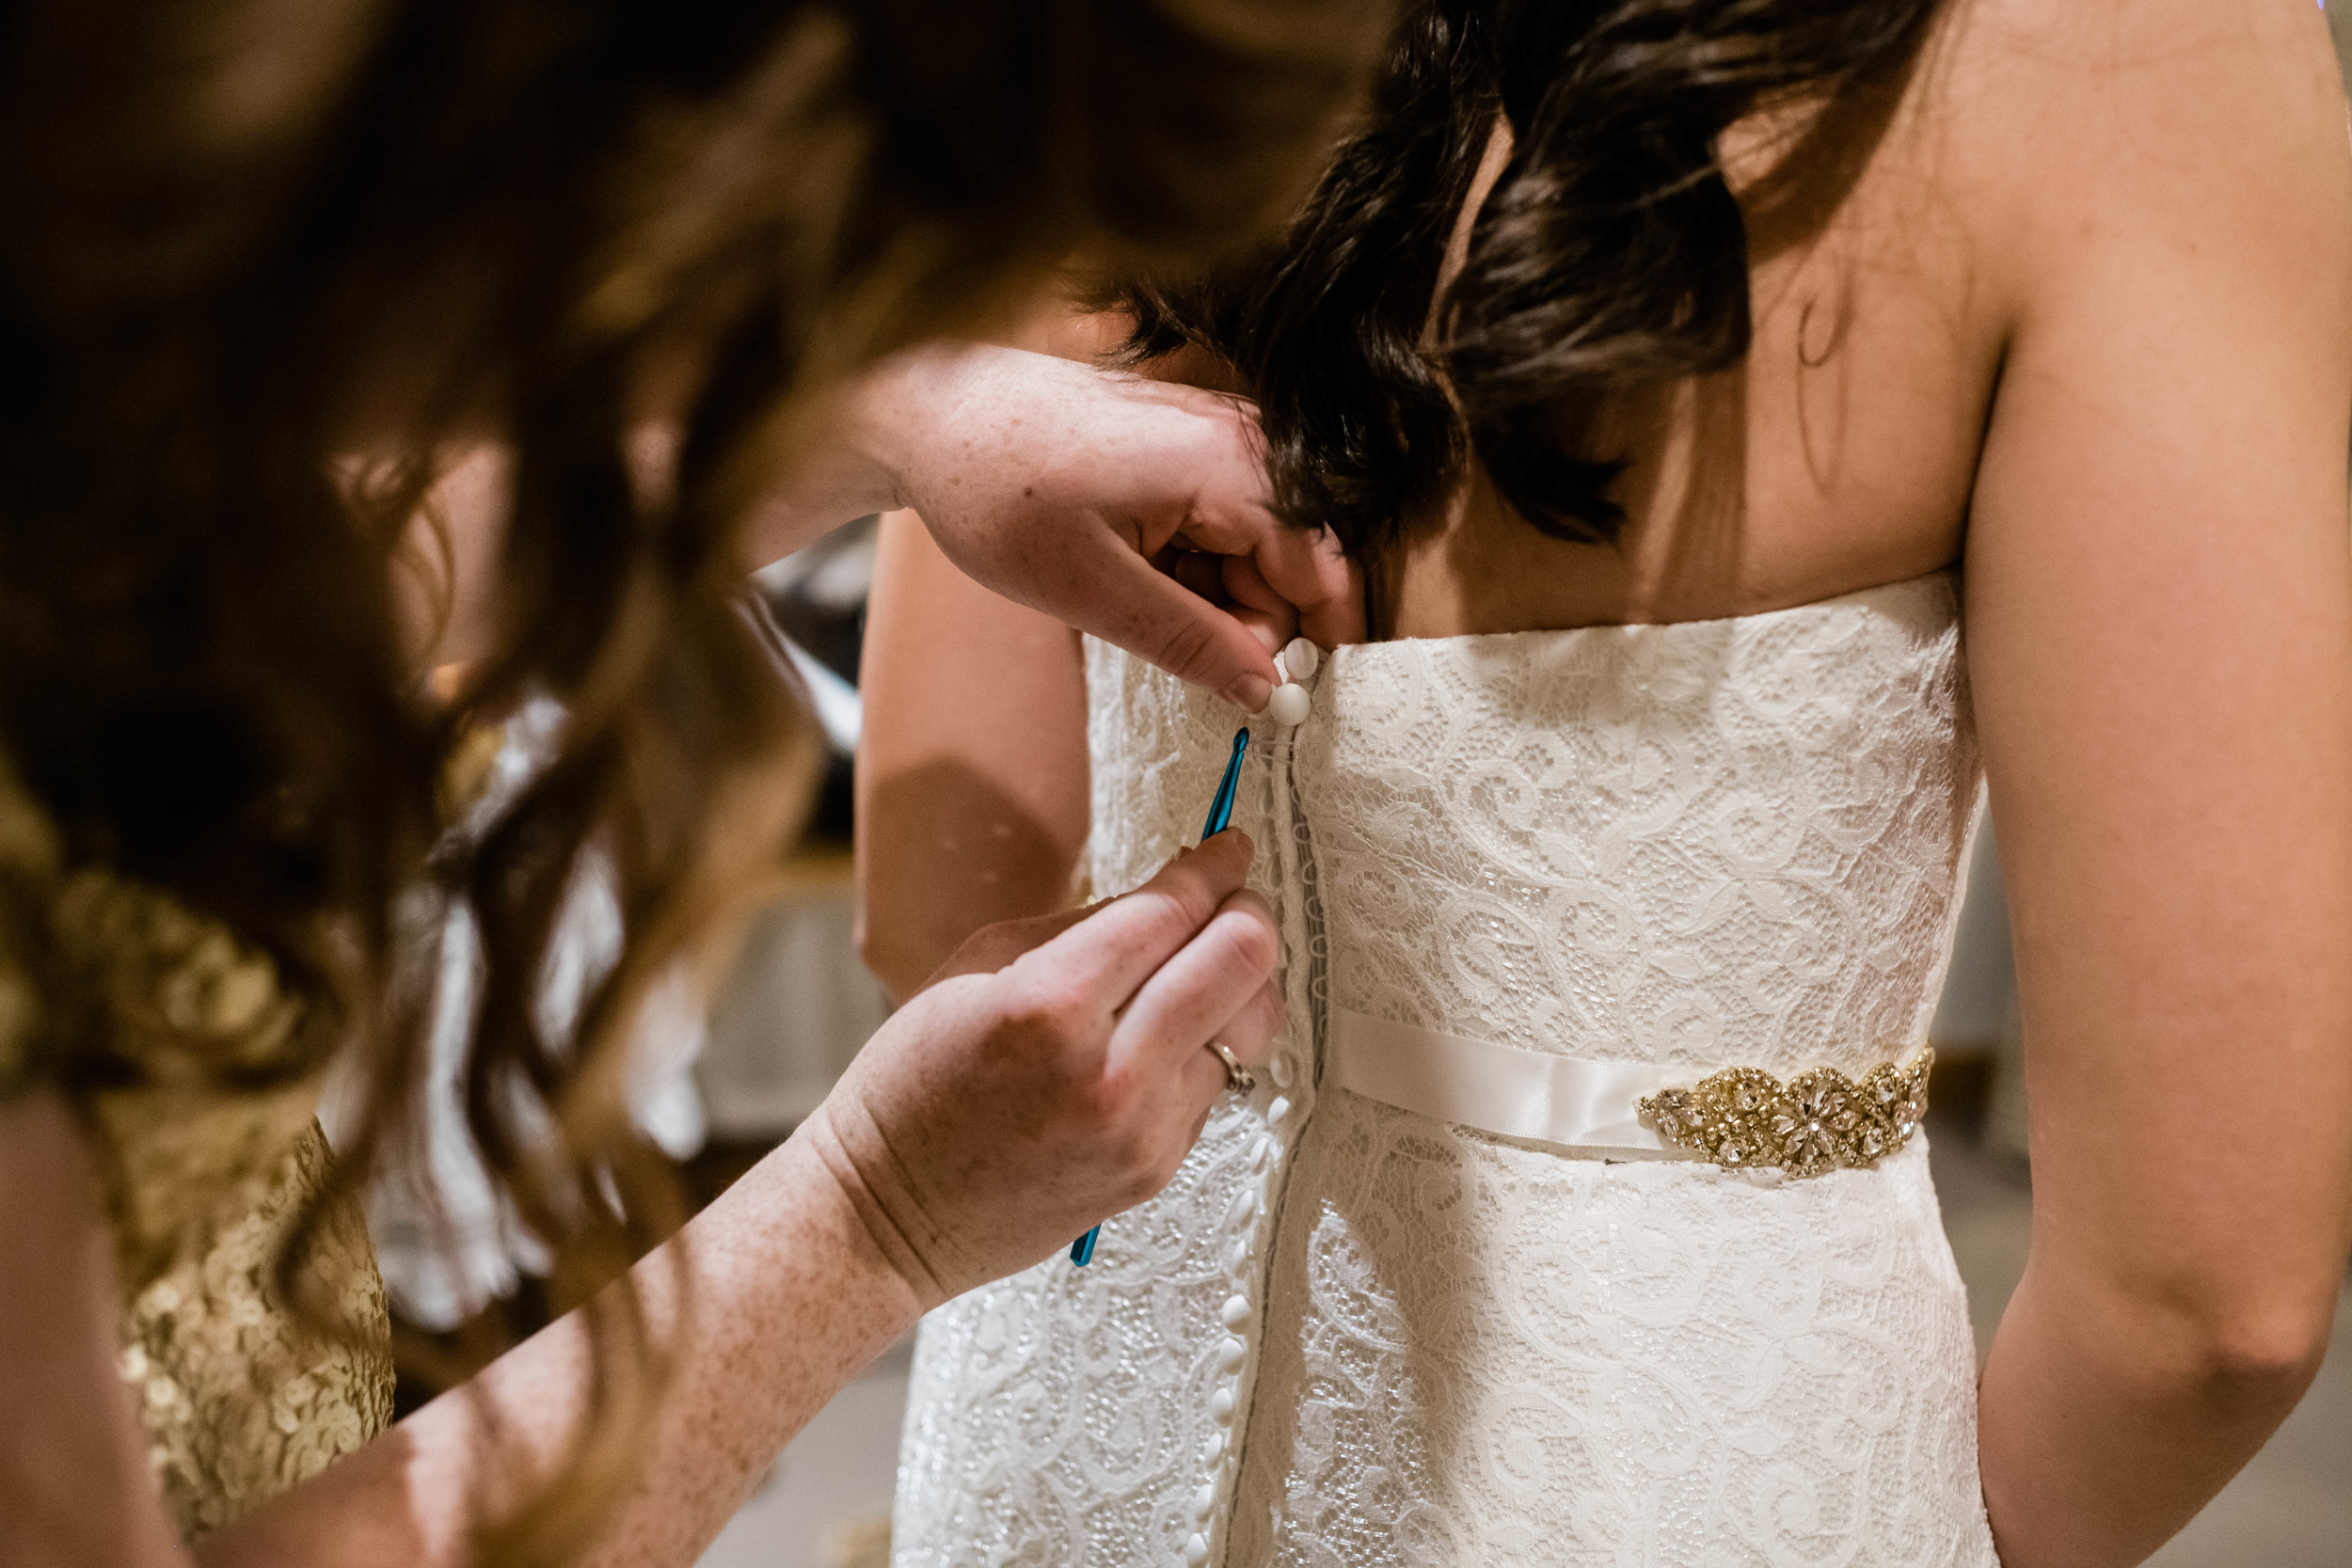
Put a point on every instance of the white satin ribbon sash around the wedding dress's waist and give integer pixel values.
(1502, 1090)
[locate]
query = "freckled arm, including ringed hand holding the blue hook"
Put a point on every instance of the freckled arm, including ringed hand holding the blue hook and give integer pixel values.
(1055, 1076)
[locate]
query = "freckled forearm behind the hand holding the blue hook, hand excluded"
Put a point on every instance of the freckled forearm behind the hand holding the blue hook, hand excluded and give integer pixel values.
(784, 1301)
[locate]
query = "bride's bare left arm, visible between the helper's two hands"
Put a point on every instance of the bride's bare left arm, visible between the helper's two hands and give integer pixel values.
(973, 760)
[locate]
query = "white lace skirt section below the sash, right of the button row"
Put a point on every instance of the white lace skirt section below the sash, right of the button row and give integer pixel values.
(1495, 1355)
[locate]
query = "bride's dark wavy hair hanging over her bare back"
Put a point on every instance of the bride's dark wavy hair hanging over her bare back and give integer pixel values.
(1610, 250)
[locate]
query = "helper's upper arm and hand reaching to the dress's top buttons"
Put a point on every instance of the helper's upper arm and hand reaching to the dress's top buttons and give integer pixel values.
(1053, 483)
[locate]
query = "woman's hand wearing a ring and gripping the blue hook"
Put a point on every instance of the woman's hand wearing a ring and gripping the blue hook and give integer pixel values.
(1053, 1073)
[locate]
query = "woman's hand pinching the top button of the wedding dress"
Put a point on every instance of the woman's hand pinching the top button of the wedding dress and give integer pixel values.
(1078, 492)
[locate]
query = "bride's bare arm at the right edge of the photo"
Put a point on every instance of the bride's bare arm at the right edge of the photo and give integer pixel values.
(2160, 638)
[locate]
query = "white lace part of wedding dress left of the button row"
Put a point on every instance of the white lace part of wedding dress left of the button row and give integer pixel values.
(1062, 1416)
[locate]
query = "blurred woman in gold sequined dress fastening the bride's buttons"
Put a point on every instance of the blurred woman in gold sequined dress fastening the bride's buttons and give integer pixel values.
(267, 272)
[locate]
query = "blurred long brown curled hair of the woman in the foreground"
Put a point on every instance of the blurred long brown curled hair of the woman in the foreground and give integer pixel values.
(234, 229)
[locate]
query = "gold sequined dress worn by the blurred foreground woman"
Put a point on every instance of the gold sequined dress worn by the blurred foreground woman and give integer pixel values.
(203, 1181)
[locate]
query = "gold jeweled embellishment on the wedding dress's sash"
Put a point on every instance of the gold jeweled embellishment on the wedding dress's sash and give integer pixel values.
(1746, 1118)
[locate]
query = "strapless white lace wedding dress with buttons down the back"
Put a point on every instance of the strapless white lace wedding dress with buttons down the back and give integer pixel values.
(1356, 1334)
